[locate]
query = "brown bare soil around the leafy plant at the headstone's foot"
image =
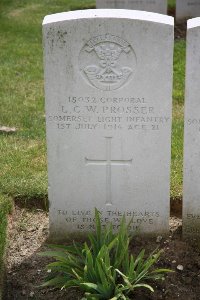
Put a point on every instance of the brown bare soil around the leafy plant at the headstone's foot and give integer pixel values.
(28, 231)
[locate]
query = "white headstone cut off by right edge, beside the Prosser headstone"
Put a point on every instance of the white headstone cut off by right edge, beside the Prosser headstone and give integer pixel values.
(191, 192)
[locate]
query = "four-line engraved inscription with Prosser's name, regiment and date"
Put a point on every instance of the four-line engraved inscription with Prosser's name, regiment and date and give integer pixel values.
(108, 113)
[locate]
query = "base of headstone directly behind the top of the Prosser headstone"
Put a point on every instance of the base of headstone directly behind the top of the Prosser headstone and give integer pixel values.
(157, 6)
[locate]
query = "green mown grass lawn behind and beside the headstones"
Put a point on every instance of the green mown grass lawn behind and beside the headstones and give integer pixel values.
(23, 172)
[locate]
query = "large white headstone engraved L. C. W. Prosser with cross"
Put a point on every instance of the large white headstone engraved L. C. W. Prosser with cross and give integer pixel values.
(108, 82)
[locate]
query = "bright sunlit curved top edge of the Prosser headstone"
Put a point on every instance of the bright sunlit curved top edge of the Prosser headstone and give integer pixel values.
(110, 14)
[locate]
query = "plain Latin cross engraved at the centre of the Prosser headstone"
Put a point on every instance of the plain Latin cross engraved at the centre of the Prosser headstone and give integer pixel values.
(108, 162)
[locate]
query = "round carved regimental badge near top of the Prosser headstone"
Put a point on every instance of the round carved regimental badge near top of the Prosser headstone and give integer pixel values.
(105, 62)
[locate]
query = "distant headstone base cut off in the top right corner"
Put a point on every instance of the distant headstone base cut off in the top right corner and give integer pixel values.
(187, 8)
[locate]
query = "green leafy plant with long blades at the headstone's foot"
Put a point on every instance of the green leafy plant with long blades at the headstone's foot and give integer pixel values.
(104, 269)
